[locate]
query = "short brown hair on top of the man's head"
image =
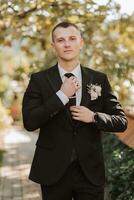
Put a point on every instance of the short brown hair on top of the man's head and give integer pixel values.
(64, 25)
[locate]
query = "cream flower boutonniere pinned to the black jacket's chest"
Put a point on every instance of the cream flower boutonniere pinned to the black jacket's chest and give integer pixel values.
(94, 91)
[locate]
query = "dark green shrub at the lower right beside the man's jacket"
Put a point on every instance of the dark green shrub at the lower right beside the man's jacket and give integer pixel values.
(120, 168)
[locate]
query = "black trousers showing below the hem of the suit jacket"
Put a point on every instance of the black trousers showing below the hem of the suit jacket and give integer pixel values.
(73, 185)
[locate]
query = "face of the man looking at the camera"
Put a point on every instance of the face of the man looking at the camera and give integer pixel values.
(67, 43)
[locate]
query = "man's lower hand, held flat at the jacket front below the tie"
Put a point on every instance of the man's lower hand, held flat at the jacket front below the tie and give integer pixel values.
(82, 113)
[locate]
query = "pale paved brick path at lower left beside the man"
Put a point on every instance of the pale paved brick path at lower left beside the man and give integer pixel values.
(19, 148)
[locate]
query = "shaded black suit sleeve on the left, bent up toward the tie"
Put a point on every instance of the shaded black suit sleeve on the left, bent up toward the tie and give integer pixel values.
(35, 112)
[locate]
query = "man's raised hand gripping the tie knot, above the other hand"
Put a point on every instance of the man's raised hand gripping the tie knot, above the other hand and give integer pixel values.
(70, 86)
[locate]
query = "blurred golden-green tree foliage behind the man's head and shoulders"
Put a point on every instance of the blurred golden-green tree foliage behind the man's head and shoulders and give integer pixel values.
(26, 26)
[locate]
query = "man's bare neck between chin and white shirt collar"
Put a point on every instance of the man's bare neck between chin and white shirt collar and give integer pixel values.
(68, 65)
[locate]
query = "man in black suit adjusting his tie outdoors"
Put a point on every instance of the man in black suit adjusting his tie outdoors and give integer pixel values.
(71, 106)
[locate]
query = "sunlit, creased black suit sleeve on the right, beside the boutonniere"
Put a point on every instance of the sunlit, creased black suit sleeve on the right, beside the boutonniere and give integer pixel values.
(113, 118)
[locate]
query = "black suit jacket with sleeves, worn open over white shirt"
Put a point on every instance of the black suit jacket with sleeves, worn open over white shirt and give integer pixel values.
(43, 109)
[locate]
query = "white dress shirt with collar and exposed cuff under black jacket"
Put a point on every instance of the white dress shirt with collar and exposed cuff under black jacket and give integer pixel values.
(77, 73)
